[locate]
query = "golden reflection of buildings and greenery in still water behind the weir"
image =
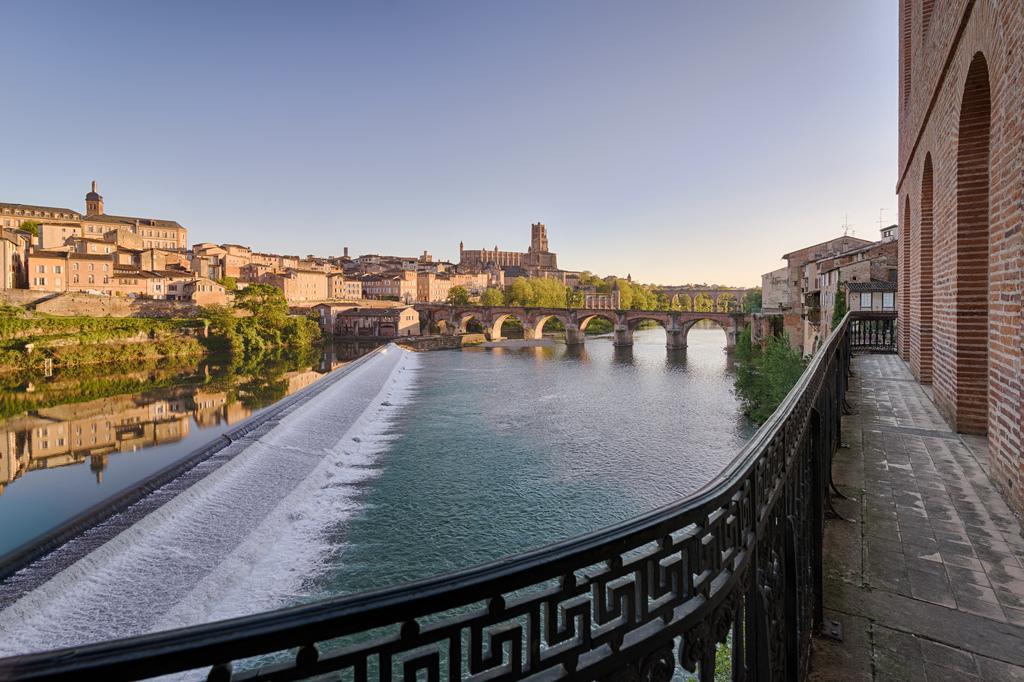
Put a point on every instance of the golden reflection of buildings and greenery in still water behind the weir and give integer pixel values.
(165, 406)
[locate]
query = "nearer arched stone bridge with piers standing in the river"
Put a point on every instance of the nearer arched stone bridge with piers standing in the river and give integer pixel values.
(455, 319)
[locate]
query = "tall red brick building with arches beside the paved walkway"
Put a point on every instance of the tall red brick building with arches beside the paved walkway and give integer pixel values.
(960, 187)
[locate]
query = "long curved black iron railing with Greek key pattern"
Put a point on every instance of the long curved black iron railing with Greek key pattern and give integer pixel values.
(729, 577)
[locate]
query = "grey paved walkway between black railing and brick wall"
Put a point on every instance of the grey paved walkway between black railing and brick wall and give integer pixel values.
(926, 573)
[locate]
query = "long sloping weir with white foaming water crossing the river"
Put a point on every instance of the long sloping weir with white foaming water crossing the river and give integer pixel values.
(257, 520)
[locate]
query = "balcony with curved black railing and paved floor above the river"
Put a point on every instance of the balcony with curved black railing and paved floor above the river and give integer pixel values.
(757, 576)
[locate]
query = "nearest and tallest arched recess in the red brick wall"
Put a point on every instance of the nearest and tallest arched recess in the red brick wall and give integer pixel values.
(971, 316)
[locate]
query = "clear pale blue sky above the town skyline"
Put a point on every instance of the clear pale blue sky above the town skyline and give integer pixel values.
(678, 142)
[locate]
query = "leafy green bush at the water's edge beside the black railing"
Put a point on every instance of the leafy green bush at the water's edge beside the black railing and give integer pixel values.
(764, 376)
